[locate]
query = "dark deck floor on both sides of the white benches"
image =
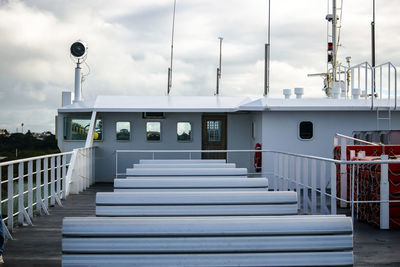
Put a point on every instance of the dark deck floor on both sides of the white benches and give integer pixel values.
(40, 245)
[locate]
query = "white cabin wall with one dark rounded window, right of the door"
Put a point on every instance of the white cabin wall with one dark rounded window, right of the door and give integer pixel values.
(281, 130)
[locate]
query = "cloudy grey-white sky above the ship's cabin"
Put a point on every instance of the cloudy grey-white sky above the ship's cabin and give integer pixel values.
(129, 46)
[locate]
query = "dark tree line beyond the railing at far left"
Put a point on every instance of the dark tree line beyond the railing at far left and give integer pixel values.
(19, 145)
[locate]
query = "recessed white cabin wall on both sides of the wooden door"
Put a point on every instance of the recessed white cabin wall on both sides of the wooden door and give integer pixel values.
(238, 137)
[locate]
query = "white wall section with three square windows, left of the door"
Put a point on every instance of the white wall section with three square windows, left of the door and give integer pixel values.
(105, 164)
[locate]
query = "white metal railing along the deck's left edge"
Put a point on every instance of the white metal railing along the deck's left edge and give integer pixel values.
(32, 184)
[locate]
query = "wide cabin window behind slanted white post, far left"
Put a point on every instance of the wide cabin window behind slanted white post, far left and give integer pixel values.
(78, 128)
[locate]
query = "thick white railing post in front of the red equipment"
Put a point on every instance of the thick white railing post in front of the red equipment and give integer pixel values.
(384, 205)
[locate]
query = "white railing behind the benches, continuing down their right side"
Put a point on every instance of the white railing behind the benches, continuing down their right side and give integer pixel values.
(313, 178)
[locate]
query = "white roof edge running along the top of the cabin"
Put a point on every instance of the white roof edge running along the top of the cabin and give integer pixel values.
(216, 104)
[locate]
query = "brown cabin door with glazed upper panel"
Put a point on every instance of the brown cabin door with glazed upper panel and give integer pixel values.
(214, 136)
